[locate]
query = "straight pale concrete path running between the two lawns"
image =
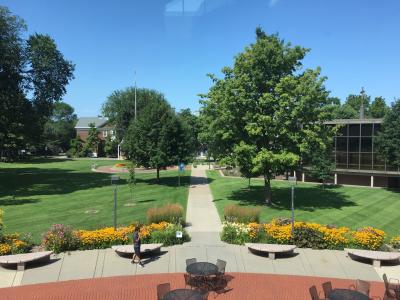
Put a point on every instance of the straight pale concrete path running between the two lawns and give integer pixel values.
(201, 215)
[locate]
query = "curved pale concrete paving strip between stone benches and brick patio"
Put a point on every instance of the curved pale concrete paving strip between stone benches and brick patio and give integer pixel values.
(106, 263)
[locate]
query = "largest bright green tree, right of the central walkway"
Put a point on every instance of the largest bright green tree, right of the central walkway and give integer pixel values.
(268, 102)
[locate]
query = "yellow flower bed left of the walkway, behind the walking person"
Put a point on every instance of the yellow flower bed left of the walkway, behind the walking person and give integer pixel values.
(61, 238)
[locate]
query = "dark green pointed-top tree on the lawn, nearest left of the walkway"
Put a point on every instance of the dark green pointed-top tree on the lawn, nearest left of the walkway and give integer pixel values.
(156, 139)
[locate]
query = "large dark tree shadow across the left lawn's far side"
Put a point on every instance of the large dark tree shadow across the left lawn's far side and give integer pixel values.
(25, 182)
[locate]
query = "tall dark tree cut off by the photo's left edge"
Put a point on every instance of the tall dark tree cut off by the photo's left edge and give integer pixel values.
(33, 76)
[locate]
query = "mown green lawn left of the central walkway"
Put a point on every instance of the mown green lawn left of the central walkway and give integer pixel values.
(41, 192)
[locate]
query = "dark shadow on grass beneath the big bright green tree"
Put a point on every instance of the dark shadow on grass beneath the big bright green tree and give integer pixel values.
(307, 198)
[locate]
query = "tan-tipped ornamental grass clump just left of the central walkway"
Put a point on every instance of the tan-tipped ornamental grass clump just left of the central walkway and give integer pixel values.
(172, 213)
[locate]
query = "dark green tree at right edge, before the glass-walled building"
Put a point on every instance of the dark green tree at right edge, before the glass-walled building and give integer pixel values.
(388, 140)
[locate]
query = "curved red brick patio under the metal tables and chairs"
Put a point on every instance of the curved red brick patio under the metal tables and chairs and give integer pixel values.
(241, 285)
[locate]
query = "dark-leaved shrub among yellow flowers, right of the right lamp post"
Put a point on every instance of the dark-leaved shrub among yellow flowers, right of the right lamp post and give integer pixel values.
(306, 237)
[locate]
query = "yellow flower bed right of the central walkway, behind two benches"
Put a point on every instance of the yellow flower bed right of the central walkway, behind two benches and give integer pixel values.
(306, 235)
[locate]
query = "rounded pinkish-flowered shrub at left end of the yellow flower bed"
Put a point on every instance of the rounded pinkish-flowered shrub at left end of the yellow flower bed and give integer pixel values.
(60, 238)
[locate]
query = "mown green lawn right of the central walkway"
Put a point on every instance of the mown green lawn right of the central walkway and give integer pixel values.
(353, 207)
